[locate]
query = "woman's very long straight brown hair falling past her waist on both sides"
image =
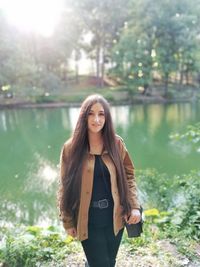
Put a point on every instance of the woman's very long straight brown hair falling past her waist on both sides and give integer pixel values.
(71, 182)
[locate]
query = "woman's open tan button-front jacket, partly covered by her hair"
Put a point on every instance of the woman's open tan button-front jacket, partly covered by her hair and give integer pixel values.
(87, 185)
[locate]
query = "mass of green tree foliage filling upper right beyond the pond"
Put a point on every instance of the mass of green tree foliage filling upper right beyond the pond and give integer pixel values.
(163, 42)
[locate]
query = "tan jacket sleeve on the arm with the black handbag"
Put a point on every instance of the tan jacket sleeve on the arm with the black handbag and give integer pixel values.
(130, 175)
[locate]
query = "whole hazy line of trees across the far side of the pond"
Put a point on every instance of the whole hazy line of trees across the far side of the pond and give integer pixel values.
(139, 44)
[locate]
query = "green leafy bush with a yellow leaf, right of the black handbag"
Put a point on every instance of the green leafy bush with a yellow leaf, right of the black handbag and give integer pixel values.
(178, 196)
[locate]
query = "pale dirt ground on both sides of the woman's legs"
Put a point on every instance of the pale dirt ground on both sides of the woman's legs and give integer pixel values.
(161, 254)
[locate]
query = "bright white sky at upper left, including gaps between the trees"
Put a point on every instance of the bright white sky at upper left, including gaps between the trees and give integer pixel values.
(41, 17)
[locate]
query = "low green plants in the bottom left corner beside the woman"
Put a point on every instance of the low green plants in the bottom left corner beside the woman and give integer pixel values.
(33, 245)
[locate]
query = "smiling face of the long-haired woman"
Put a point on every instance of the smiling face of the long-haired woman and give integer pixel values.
(96, 118)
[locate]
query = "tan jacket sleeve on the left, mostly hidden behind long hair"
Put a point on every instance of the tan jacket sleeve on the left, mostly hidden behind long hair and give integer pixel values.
(65, 218)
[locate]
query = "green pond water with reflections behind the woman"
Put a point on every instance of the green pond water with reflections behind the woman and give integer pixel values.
(31, 140)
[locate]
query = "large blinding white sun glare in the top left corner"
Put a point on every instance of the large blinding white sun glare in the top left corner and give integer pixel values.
(33, 15)
